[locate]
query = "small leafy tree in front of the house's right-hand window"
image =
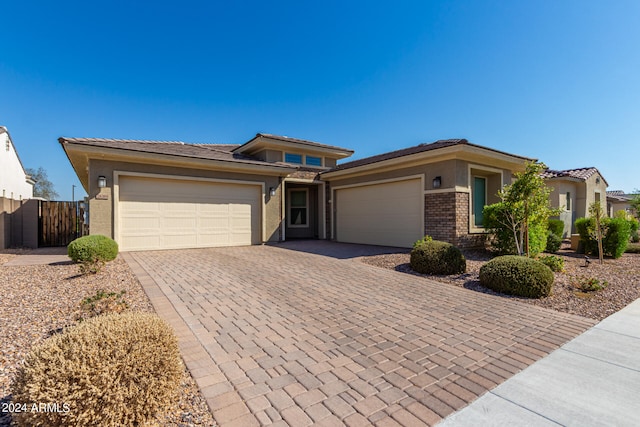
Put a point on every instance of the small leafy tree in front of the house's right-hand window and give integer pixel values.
(524, 207)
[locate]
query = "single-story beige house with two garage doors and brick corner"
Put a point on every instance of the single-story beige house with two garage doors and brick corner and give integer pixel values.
(162, 195)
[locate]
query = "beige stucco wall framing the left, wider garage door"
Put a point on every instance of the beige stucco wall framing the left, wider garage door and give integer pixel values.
(101, 201)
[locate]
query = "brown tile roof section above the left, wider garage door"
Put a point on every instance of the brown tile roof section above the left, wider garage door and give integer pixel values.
(219, 152)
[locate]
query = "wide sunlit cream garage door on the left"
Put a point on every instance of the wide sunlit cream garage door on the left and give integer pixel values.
(157, 213)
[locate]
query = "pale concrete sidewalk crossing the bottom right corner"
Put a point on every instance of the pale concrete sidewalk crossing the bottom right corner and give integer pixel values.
(590, 381)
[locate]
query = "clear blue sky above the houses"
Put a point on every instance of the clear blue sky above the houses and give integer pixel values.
(554, 80)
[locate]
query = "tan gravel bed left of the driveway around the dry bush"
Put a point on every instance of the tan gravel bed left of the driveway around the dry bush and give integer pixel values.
(36, 300)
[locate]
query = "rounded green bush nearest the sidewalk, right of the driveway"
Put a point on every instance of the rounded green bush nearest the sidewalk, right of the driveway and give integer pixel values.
(517, 275)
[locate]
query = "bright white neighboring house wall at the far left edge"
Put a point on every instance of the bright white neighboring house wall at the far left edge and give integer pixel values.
(15, 184)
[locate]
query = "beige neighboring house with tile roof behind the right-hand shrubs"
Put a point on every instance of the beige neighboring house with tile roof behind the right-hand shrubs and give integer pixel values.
(574, 190)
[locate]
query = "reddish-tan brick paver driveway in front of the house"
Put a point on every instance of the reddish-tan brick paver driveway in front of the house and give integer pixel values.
(290, 337)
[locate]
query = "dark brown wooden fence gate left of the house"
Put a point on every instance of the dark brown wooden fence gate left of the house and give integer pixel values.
(60, 223)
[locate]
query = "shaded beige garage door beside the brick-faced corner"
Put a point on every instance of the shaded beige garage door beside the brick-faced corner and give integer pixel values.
(388, 214)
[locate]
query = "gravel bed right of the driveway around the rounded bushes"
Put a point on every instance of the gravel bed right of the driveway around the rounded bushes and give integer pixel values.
(622, 276)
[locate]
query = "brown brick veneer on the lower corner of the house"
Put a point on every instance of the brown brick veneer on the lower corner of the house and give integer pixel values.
(446, 218)
